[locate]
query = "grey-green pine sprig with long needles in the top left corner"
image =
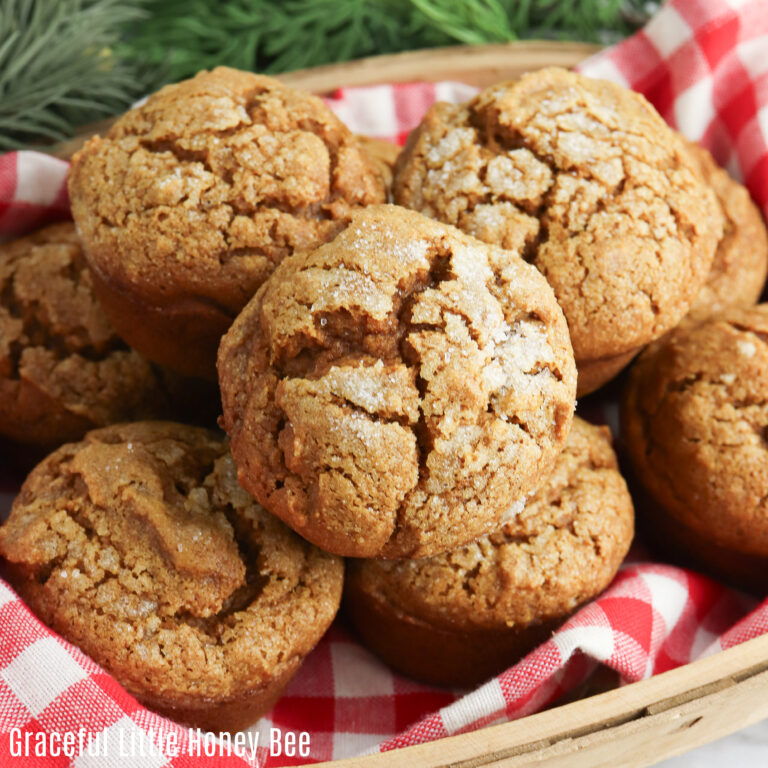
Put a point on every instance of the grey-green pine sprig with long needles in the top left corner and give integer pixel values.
(58, 68)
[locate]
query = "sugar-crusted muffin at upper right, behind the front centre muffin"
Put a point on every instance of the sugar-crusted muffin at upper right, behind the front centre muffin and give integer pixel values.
(584, 180)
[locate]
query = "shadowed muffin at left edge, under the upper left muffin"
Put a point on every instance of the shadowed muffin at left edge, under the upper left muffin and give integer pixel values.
(63, 369)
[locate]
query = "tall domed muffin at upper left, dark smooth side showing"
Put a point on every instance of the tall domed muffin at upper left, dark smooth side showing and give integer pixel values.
(193, 198)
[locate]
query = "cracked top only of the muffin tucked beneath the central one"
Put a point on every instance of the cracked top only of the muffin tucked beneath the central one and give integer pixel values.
(561, 550)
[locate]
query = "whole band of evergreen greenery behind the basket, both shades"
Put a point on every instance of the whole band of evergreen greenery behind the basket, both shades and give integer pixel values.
(67, 62)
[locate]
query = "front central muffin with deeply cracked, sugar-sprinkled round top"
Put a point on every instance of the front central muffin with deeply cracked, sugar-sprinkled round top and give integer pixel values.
(396, 391)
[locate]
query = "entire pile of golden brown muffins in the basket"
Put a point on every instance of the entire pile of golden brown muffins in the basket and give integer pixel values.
(395, 343)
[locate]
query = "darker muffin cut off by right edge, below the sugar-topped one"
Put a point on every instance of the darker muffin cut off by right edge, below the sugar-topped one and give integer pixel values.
(695, 421)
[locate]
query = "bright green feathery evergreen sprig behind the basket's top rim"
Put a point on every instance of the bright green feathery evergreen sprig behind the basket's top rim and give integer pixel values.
(180, 37)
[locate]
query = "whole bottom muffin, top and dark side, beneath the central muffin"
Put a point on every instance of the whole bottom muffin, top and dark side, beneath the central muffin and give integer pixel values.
(459, 618)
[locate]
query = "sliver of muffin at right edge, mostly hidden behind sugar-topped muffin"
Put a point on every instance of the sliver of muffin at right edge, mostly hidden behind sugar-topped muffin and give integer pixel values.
(739, 269)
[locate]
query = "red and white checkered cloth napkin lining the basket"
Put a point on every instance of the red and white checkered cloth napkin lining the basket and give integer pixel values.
(703, 63)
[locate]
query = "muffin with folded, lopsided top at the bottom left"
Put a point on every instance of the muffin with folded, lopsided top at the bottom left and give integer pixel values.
(138, 545)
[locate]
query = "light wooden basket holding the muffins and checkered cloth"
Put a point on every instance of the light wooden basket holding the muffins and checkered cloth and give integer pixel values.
(634, 725)
